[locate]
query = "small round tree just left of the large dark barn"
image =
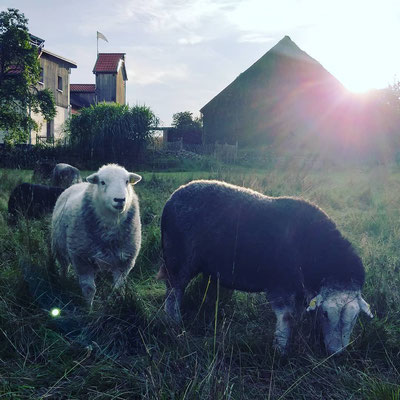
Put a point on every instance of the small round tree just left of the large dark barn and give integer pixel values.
(187, 127)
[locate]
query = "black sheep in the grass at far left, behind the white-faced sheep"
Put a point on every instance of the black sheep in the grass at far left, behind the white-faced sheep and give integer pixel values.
(32, 201)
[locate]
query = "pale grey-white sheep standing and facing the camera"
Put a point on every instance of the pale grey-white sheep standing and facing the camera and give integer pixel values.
(96, 226)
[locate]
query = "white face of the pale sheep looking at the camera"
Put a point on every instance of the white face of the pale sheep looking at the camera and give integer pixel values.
(113, 187)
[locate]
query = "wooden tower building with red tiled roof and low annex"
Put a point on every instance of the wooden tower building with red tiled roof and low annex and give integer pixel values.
(110, 85)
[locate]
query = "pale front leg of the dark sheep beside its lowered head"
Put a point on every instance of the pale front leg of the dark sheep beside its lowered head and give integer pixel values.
(283, 312)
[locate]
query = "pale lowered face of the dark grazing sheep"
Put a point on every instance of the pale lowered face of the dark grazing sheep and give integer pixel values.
(338, 312)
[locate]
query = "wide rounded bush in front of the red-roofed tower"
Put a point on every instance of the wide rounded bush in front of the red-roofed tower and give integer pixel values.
(111, 132)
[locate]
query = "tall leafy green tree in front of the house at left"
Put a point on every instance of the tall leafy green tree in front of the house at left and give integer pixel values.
(19, 75)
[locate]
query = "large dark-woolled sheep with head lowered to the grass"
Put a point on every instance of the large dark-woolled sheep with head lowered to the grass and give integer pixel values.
(283, 246)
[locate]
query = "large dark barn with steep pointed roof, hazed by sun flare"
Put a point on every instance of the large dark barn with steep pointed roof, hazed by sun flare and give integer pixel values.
(288, 98)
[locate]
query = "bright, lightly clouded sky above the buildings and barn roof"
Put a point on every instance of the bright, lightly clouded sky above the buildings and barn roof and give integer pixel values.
(182, 53)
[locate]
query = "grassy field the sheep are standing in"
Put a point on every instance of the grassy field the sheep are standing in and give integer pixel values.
(126, 349)
